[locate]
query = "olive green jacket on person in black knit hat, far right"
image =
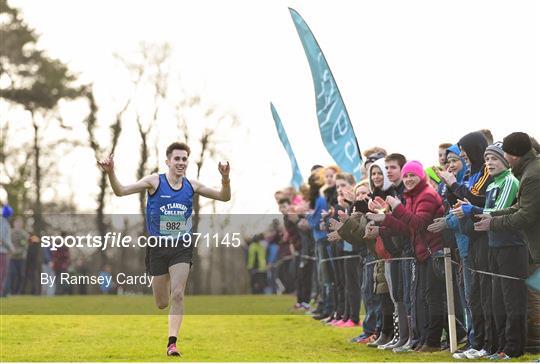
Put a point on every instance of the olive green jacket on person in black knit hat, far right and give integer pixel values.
(525, 215)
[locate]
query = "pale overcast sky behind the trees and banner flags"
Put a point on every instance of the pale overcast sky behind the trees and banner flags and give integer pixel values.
(412, 74)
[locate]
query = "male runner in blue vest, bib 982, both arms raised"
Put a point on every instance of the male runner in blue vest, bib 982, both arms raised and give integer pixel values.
(168, 213)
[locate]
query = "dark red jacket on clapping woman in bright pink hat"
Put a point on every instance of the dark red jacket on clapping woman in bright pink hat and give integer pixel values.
(422, 205)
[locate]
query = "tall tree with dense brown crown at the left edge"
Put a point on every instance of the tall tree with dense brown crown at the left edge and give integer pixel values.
(35, 82)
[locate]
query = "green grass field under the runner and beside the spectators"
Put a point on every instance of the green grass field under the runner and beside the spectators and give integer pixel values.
(204, 337)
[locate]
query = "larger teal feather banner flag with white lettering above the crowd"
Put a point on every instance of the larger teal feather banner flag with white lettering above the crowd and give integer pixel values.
(335, 126)
